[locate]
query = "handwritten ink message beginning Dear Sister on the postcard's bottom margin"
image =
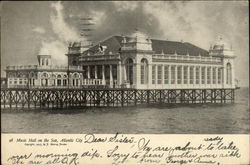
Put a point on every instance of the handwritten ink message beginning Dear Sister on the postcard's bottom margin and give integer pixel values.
(128, 149)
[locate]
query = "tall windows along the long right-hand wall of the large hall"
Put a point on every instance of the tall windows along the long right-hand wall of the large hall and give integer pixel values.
(187, 75)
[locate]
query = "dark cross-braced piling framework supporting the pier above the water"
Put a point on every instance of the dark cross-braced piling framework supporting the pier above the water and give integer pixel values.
(70, 98)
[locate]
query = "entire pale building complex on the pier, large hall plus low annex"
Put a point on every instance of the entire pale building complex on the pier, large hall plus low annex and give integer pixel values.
(134, 61)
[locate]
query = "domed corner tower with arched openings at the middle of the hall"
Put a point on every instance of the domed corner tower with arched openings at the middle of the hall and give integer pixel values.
(136, 57)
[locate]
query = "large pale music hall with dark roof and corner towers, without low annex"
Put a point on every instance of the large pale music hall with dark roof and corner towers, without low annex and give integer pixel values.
(143, 63)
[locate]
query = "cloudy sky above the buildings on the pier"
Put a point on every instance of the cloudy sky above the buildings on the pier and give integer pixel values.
(46, 27)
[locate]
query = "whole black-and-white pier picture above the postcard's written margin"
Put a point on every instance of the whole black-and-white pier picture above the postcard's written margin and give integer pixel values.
(137, 67)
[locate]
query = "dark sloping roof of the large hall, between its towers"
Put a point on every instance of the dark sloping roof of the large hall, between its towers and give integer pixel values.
(167, 47)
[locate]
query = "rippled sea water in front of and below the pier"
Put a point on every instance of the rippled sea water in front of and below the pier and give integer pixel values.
(143, 119)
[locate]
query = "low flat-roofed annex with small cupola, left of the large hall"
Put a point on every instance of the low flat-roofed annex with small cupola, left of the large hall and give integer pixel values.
(44, 75)
